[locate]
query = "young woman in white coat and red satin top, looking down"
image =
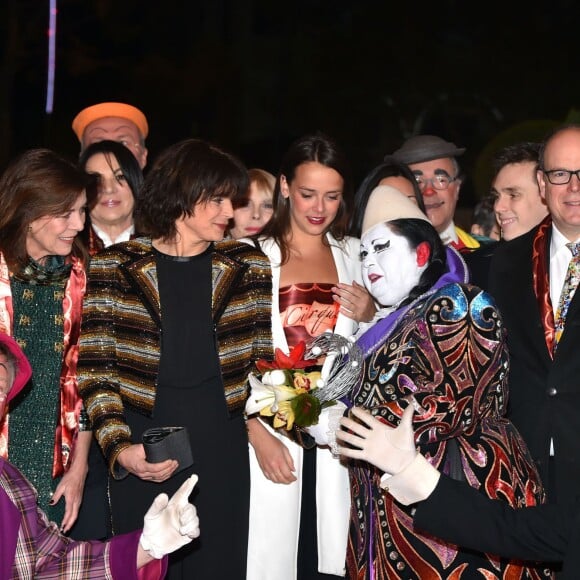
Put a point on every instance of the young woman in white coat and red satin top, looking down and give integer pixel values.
(300, 497)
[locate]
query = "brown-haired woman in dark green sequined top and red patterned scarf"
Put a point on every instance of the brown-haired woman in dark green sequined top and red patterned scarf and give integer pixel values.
(42, 284)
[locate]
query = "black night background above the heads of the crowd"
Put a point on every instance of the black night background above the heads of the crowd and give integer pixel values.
(252, 75)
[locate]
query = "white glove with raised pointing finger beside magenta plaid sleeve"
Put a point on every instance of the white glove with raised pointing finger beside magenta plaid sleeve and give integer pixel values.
(170, 523)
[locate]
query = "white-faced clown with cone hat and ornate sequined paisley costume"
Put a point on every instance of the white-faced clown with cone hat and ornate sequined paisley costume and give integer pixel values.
(438, 343)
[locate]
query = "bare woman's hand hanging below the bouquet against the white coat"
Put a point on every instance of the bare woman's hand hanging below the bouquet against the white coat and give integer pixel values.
(273, 456)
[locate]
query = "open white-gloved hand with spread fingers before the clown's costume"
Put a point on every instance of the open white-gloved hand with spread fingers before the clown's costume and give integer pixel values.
(388, 449)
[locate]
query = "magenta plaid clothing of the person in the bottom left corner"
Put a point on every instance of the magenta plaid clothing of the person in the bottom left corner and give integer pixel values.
(32, 547)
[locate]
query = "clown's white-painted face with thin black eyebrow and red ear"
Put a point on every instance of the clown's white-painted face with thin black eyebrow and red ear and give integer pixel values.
(390, 268)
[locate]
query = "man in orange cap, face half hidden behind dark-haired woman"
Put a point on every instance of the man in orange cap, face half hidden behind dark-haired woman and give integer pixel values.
(115, 121)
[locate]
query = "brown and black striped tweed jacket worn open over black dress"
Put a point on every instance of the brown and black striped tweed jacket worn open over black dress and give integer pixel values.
(121, 332)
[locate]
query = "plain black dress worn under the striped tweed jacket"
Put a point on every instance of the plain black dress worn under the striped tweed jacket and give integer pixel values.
(190, 393)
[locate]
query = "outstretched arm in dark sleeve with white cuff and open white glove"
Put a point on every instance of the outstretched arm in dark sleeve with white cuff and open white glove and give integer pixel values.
(455, 511)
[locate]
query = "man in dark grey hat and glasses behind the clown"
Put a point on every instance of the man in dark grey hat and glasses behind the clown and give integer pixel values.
(433, 161)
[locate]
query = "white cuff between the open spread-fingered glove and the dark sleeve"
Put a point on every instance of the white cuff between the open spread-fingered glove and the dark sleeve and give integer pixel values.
(415, 483)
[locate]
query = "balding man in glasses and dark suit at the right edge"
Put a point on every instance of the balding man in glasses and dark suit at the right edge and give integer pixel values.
(526, 278)
